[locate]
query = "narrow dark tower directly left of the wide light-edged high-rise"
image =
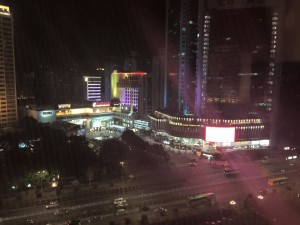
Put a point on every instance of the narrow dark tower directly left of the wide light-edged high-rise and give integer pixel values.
(180, 47)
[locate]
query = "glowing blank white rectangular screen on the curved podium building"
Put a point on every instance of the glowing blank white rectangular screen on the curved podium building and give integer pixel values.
(220, 134)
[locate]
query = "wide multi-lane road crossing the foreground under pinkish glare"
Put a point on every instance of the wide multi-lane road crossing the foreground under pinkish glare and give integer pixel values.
(203, 177)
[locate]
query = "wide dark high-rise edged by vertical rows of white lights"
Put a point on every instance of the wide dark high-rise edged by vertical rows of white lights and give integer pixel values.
(238, 61)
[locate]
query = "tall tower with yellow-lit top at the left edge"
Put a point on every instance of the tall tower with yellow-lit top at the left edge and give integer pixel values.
(8, 101)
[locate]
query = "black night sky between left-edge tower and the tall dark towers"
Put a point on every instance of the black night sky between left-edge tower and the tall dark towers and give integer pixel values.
(65, 32)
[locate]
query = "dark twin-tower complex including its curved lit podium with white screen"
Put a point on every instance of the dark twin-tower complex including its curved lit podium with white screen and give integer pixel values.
(226, 59)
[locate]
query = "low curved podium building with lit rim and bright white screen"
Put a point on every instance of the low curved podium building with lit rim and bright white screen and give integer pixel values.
(212, 133)
